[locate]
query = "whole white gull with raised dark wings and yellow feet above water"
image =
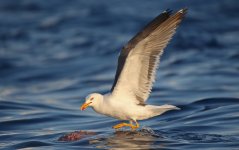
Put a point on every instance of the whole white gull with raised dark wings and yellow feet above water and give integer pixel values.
(137, 65)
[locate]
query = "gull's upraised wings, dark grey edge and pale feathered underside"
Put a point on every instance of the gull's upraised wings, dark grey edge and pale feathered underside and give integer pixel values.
(139, 59)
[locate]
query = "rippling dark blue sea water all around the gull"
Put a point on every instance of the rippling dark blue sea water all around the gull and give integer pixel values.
(54, 53)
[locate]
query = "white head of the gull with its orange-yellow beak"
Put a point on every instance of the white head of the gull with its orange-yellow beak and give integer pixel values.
(92, 100)
